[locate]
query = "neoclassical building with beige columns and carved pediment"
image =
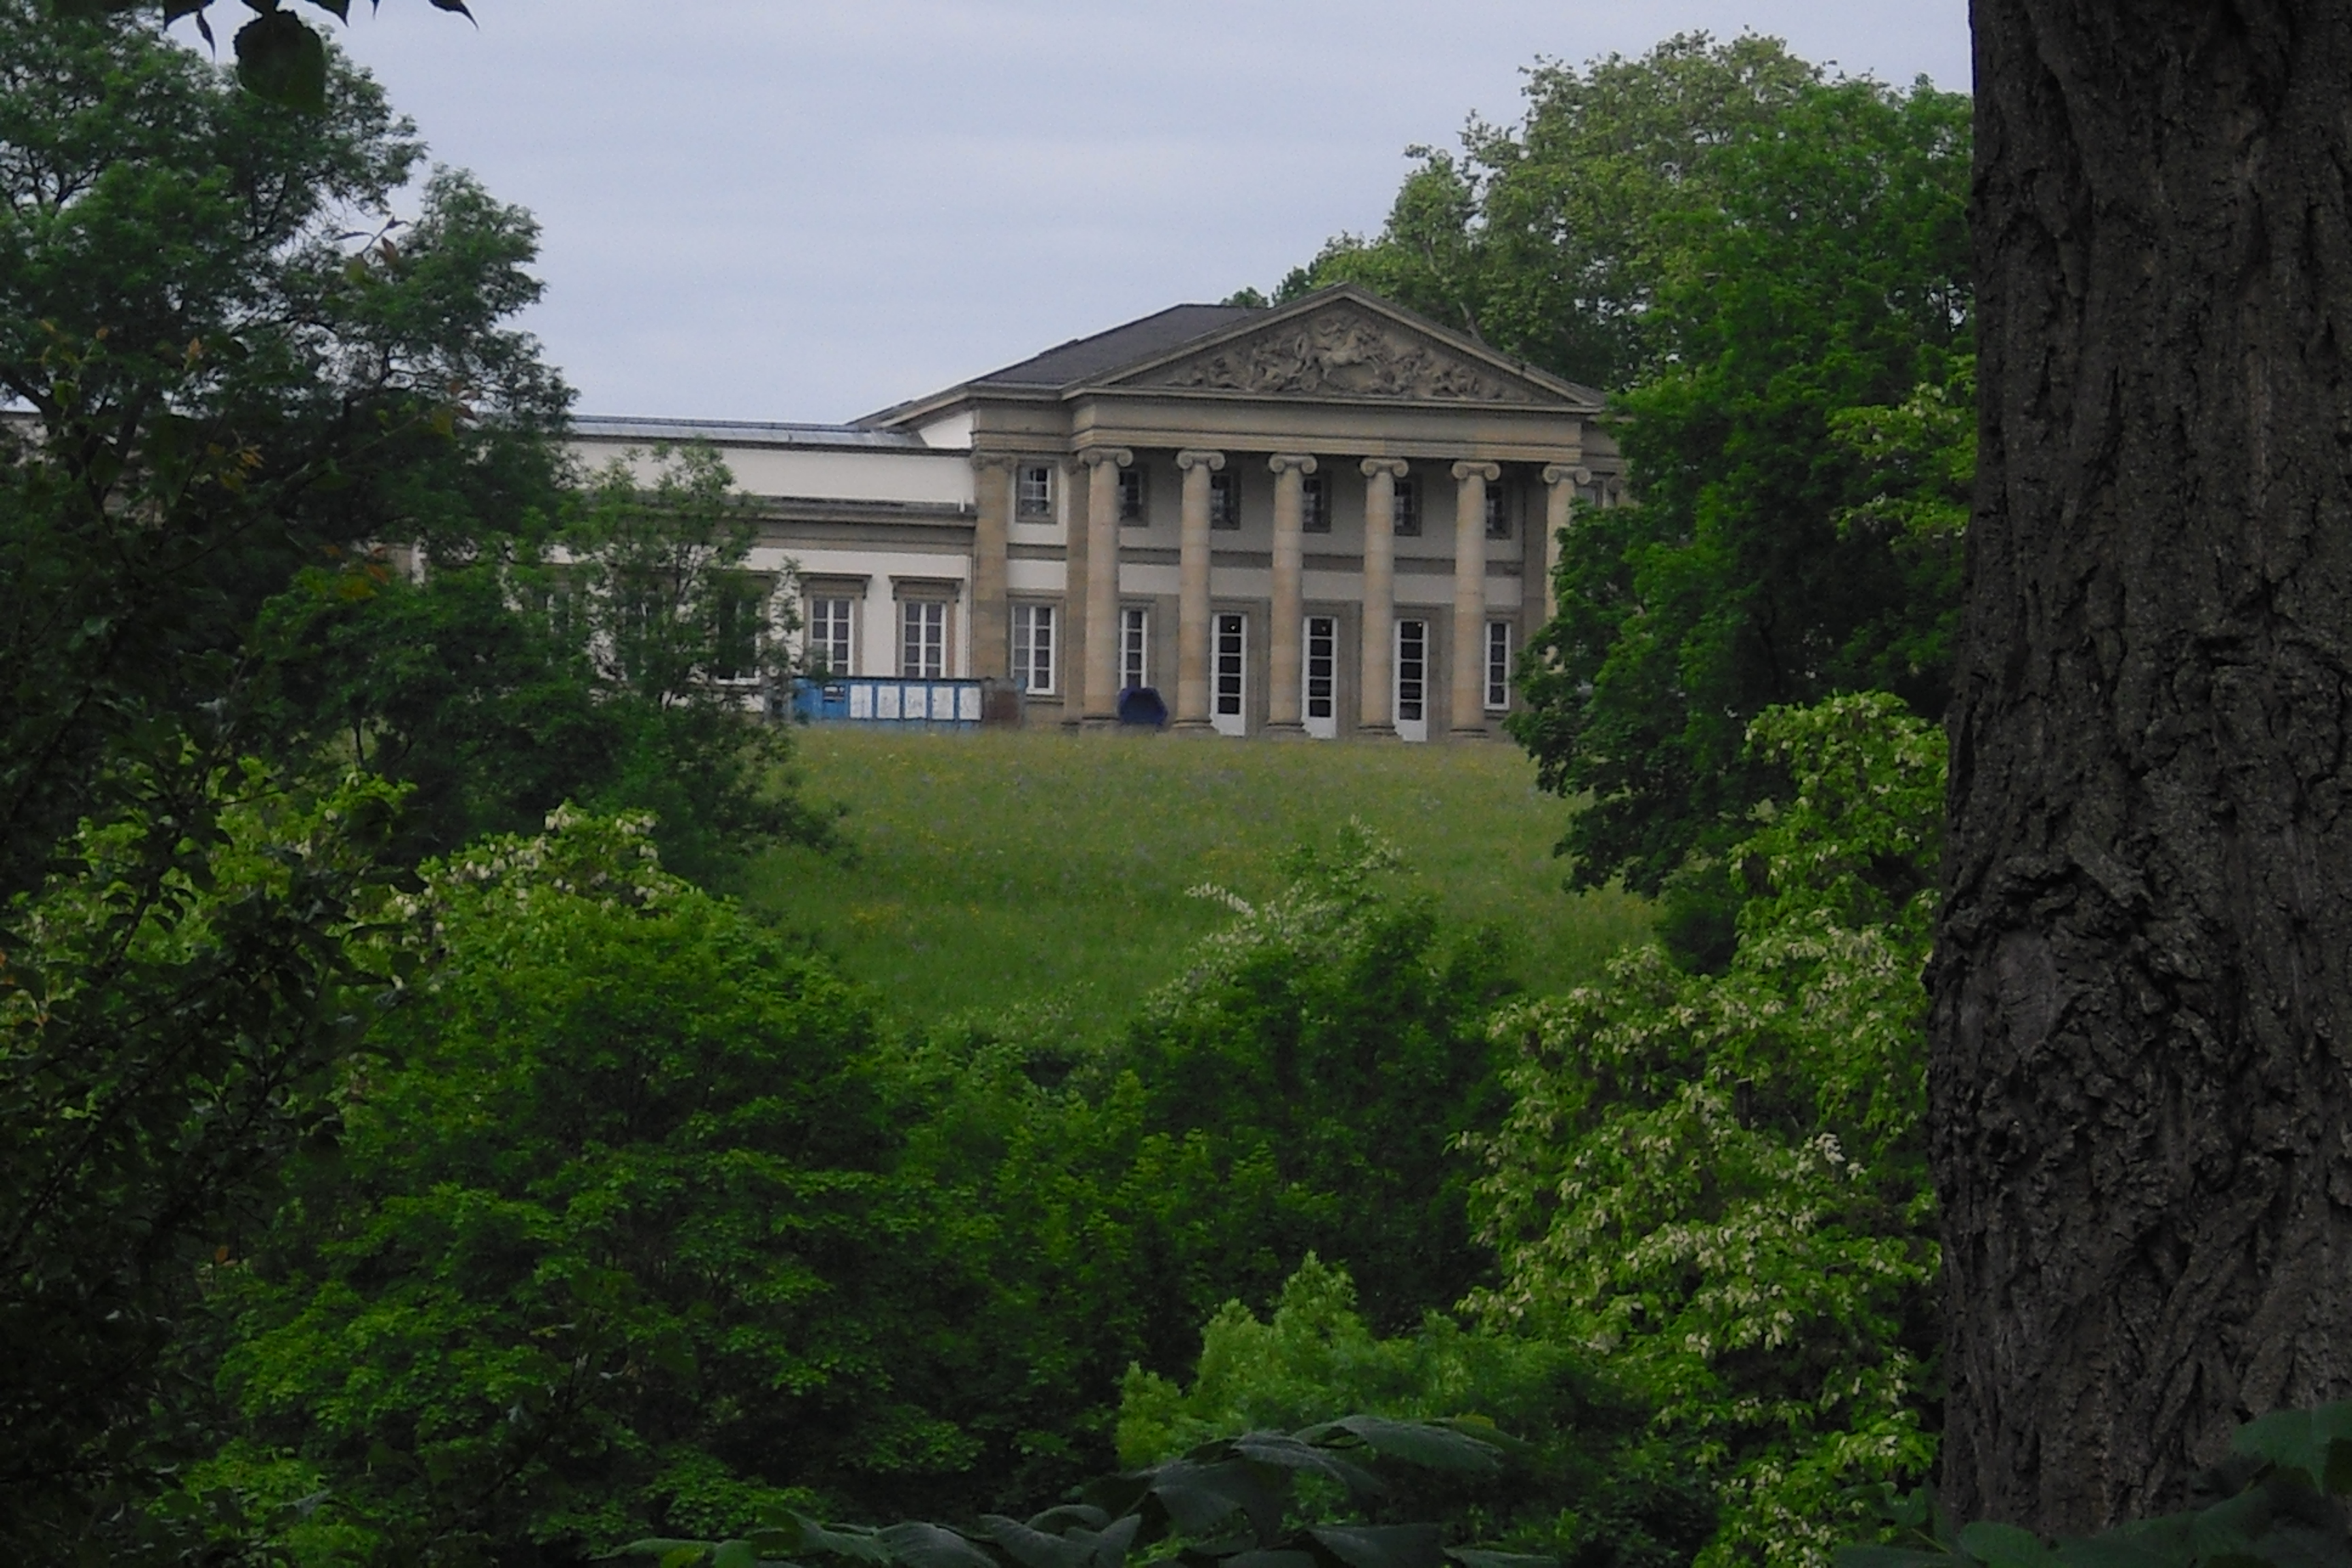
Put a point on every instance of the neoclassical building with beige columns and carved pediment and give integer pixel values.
(1325, 521)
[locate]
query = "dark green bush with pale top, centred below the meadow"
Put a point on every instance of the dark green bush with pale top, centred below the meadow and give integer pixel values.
(1332, 1043)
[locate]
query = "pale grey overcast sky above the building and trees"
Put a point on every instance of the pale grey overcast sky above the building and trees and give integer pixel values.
(817, 208)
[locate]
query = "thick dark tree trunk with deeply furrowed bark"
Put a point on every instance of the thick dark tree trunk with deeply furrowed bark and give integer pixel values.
(2144, 986)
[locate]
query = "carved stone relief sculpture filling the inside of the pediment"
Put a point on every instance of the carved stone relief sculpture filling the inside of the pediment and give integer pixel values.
(1342, 354)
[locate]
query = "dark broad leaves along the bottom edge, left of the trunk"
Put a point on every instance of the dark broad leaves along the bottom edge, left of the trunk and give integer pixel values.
(1222, 1503)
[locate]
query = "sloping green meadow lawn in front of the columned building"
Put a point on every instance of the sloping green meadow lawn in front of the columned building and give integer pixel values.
(1020, 869)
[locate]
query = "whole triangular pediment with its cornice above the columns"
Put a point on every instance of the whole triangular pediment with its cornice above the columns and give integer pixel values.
(1347, 344)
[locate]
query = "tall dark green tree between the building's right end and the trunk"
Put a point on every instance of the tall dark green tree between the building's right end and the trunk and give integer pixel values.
(1824, 276)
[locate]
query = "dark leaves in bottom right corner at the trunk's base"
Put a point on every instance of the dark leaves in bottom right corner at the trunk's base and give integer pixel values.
(2276, 1503)
